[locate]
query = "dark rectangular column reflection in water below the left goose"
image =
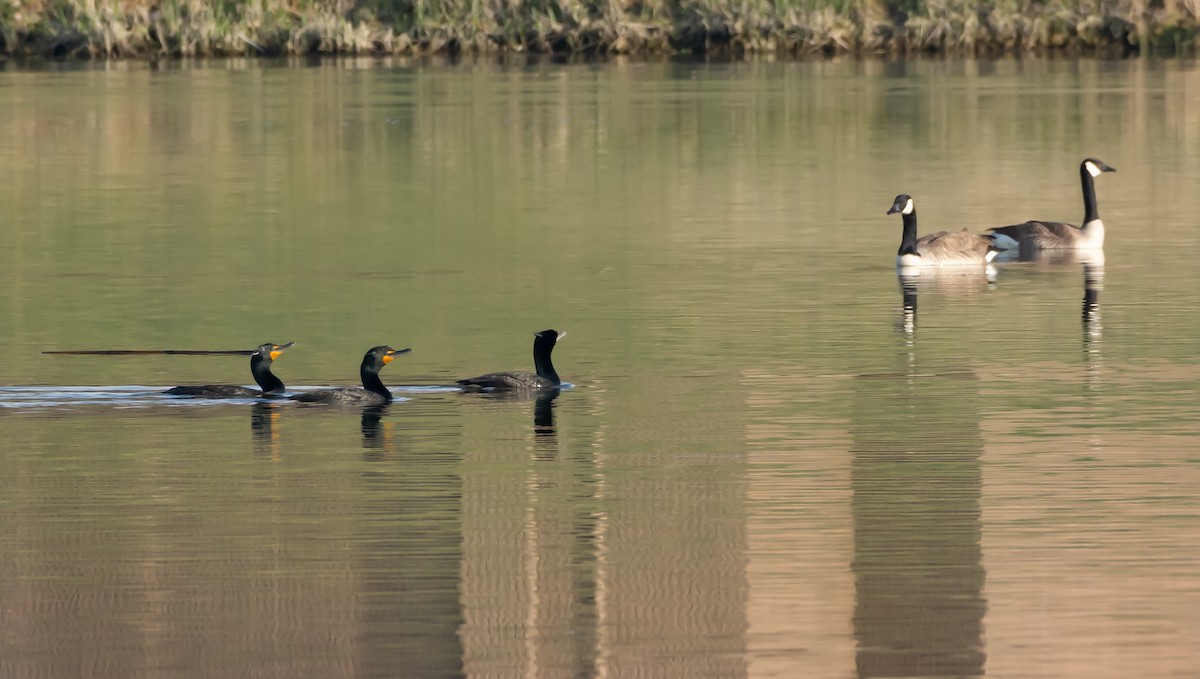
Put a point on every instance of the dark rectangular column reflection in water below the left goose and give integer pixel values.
(916, 483)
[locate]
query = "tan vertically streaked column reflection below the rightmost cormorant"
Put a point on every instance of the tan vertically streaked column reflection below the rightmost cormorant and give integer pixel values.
(537, 600)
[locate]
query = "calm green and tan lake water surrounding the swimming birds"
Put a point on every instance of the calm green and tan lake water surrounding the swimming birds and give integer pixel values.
(777, 460)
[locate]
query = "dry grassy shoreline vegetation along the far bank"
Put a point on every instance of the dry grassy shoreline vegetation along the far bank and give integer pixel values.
(142, 29)
